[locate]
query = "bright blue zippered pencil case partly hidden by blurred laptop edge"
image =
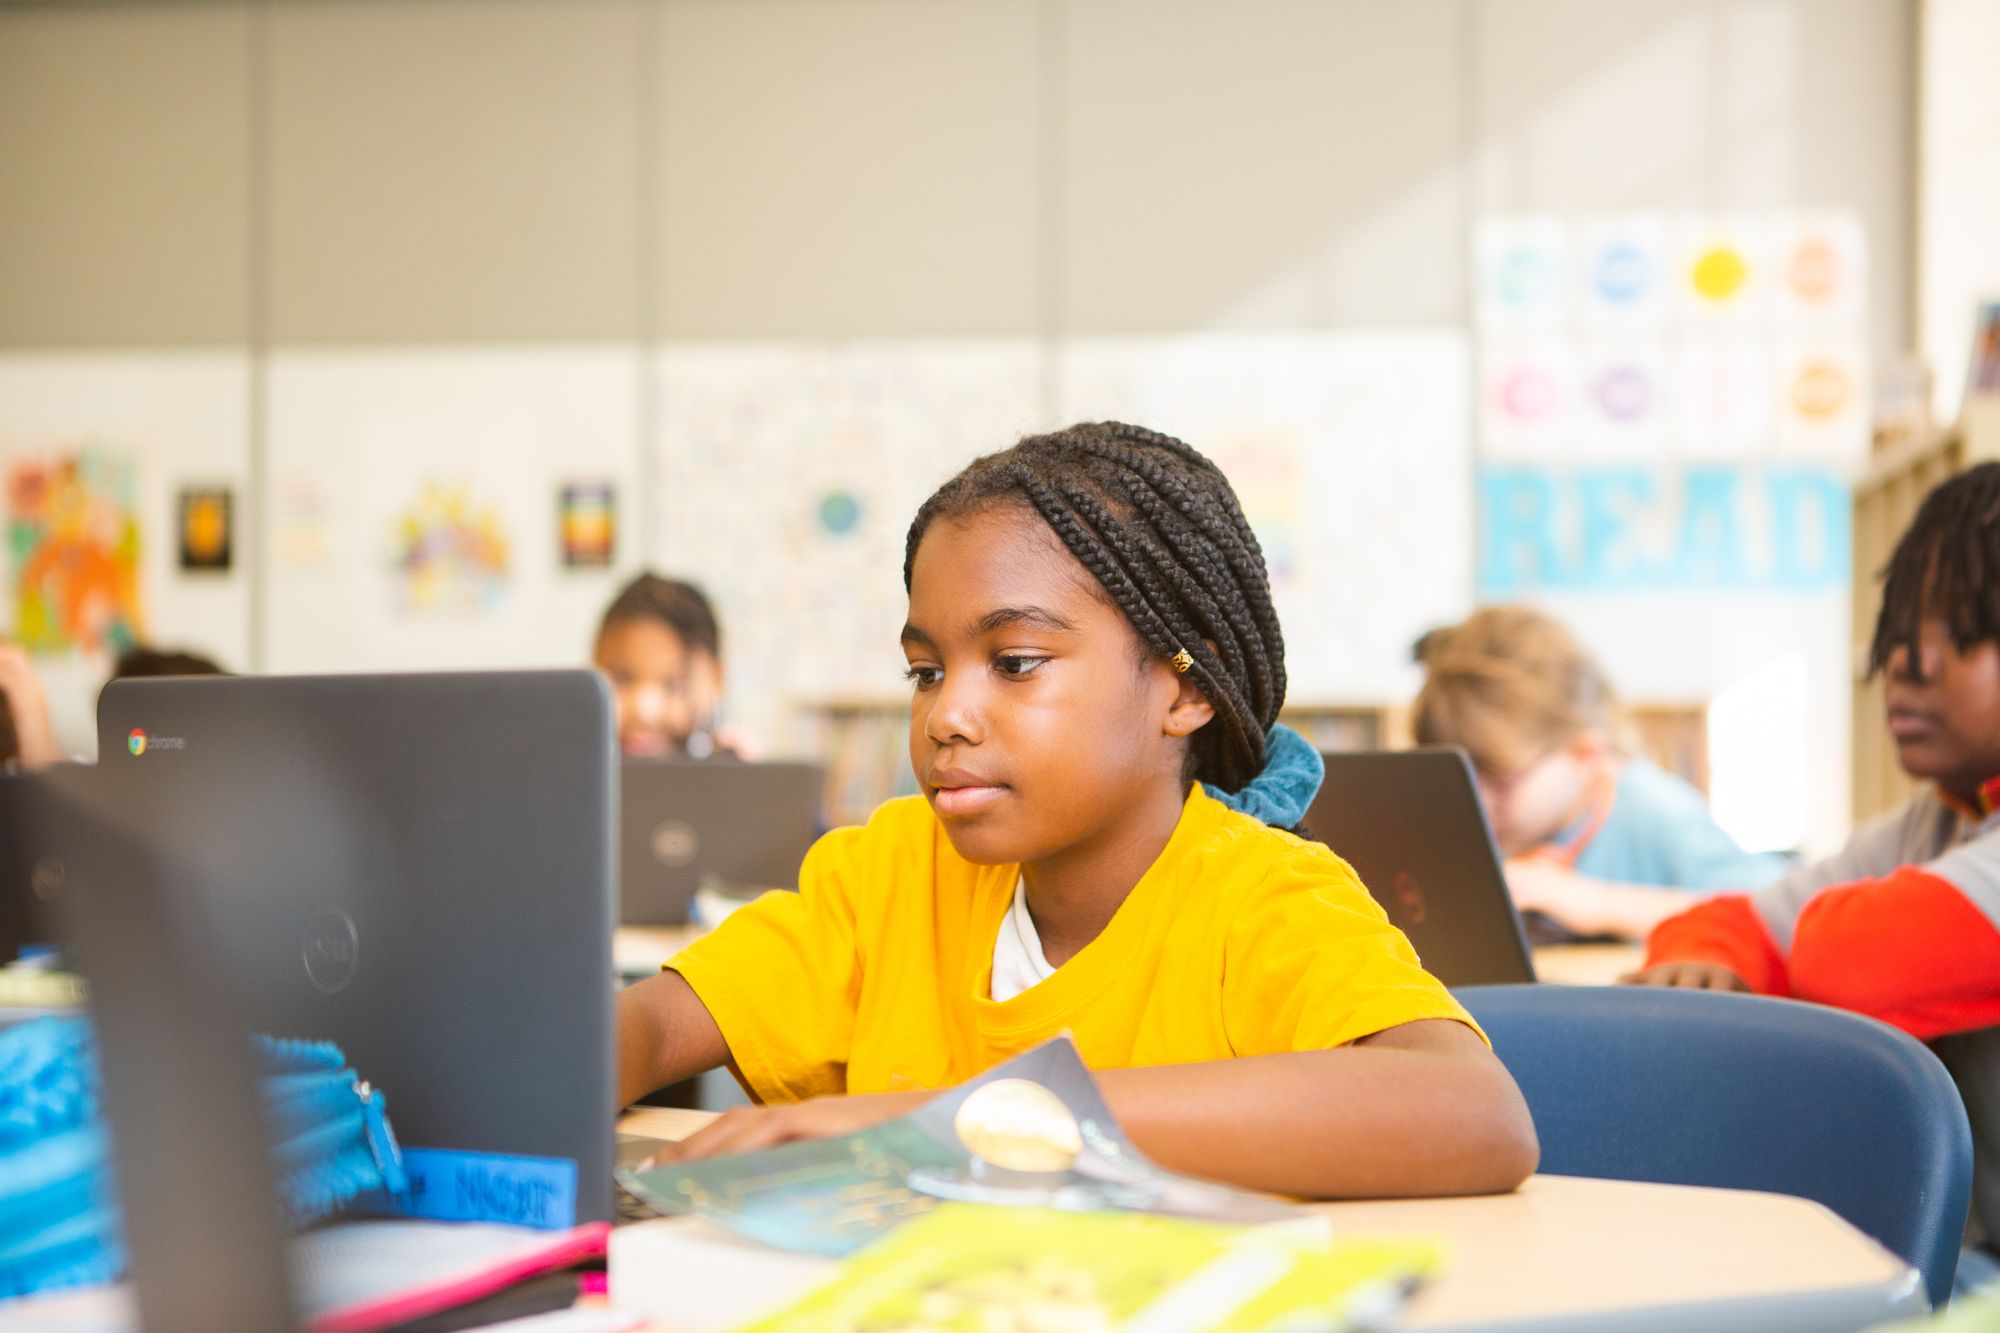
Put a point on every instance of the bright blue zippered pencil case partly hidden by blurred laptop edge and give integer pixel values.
(59, 1212)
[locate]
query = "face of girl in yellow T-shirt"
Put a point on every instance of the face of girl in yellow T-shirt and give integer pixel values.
(1037, 726)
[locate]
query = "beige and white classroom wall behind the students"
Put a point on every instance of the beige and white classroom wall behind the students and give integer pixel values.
(599, 239)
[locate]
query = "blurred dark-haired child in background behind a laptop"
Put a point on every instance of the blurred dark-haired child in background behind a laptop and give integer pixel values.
(663, 651)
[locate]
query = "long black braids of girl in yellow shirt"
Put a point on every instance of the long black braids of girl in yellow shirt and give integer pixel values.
(1161, 531)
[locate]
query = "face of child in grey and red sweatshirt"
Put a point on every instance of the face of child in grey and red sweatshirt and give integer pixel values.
(1947, 726)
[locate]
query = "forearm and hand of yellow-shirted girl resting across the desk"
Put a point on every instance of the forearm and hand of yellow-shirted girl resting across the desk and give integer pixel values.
(1417, 1110)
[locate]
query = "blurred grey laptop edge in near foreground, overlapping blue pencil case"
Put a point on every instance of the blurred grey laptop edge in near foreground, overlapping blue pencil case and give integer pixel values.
(197, 1190)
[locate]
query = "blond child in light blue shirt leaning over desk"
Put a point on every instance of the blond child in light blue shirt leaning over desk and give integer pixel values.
(1599, 840)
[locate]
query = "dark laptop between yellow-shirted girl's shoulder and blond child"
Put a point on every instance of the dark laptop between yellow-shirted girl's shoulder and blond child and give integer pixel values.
(1413, 828)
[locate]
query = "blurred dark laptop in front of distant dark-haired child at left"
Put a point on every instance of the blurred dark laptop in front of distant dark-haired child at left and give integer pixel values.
(693, 822)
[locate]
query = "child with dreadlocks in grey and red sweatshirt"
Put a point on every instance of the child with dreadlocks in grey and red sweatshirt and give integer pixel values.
(1905, 922)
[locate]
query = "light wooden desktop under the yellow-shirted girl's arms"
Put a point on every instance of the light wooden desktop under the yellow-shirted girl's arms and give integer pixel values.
(1575, 1254)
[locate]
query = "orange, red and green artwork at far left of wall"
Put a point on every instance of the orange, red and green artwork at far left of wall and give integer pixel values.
(75, 549)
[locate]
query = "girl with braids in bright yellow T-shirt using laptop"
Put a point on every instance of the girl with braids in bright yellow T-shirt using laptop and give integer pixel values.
(1101, 848)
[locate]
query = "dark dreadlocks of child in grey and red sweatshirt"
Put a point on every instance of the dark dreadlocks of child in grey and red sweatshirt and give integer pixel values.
(1947, 565)
